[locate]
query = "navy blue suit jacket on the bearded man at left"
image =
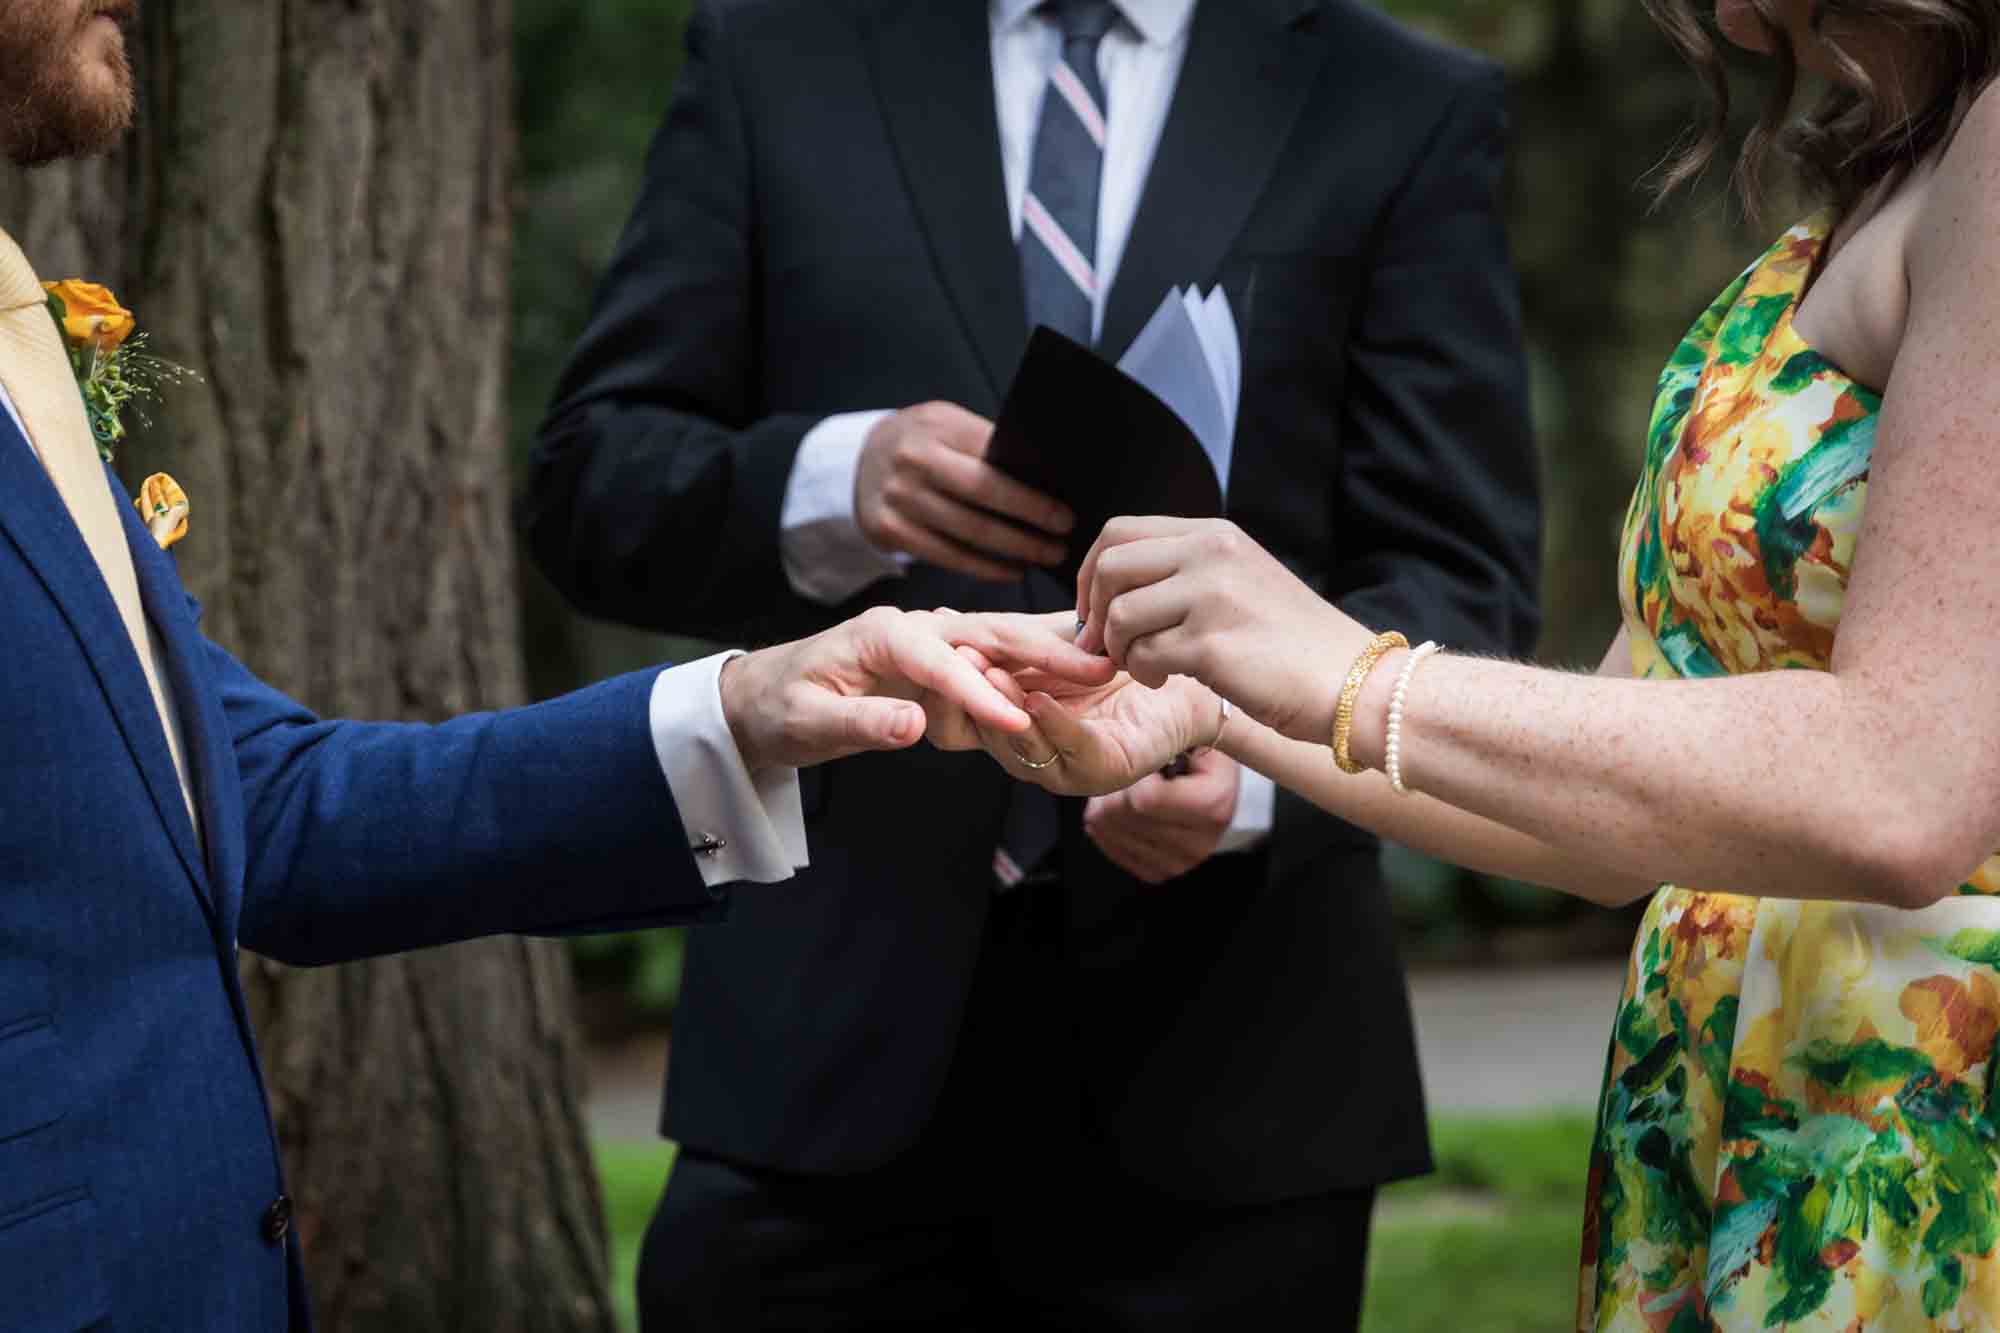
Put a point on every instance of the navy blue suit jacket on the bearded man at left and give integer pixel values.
(137, 1154)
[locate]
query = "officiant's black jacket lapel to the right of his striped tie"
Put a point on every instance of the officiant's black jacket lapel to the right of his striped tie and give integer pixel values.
(1249, 69)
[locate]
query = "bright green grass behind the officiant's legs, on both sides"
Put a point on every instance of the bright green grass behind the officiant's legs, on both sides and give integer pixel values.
(1485, 1246)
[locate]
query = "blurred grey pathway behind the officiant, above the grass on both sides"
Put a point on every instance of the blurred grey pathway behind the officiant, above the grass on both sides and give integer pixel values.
(1491, 1042)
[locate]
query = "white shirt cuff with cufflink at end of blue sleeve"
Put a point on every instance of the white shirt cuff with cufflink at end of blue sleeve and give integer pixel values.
(755, 822)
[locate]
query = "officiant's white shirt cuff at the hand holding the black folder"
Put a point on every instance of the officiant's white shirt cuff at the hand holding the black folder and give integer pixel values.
(827, 557)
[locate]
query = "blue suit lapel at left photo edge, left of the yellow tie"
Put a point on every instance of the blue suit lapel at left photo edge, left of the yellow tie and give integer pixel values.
(47, 537)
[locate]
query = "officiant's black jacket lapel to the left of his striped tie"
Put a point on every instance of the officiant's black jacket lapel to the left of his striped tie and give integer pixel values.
(935, 79)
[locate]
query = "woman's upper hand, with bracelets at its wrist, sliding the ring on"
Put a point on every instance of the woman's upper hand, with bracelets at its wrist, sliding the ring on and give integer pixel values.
(1197, 597)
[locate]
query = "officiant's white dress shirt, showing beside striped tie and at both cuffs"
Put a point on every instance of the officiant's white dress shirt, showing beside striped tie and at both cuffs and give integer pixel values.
(825, 553)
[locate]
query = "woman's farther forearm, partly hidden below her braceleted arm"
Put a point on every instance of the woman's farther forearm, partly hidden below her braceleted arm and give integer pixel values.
(1423, 824)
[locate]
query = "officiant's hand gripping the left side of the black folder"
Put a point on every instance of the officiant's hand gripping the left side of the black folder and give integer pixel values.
(923, 487)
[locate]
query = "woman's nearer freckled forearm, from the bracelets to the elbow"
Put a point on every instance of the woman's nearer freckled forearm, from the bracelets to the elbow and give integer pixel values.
(1759, 786)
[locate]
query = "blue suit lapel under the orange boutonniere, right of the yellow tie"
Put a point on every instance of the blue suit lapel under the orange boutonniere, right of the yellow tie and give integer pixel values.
(203, 728)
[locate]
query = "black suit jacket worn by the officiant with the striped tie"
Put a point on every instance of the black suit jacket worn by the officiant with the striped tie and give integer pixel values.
(825, 229)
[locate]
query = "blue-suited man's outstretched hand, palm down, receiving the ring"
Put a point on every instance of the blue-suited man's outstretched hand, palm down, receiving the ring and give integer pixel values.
(869, 686)
